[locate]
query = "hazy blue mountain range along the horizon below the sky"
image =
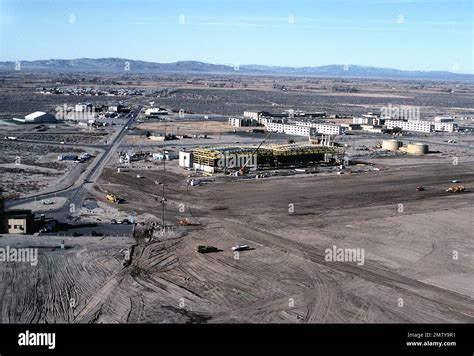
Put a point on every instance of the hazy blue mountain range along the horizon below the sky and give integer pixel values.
(120, 65)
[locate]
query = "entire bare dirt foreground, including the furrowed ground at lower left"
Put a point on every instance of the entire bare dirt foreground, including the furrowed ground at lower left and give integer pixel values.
(409, 273)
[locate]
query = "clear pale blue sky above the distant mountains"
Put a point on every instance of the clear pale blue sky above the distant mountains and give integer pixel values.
(403, 34)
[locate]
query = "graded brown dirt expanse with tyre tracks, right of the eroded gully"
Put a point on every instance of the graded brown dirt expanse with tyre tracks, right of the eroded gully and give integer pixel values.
(286, 278)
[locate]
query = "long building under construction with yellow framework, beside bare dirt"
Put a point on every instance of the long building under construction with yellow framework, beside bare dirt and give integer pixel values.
(263, 157)
